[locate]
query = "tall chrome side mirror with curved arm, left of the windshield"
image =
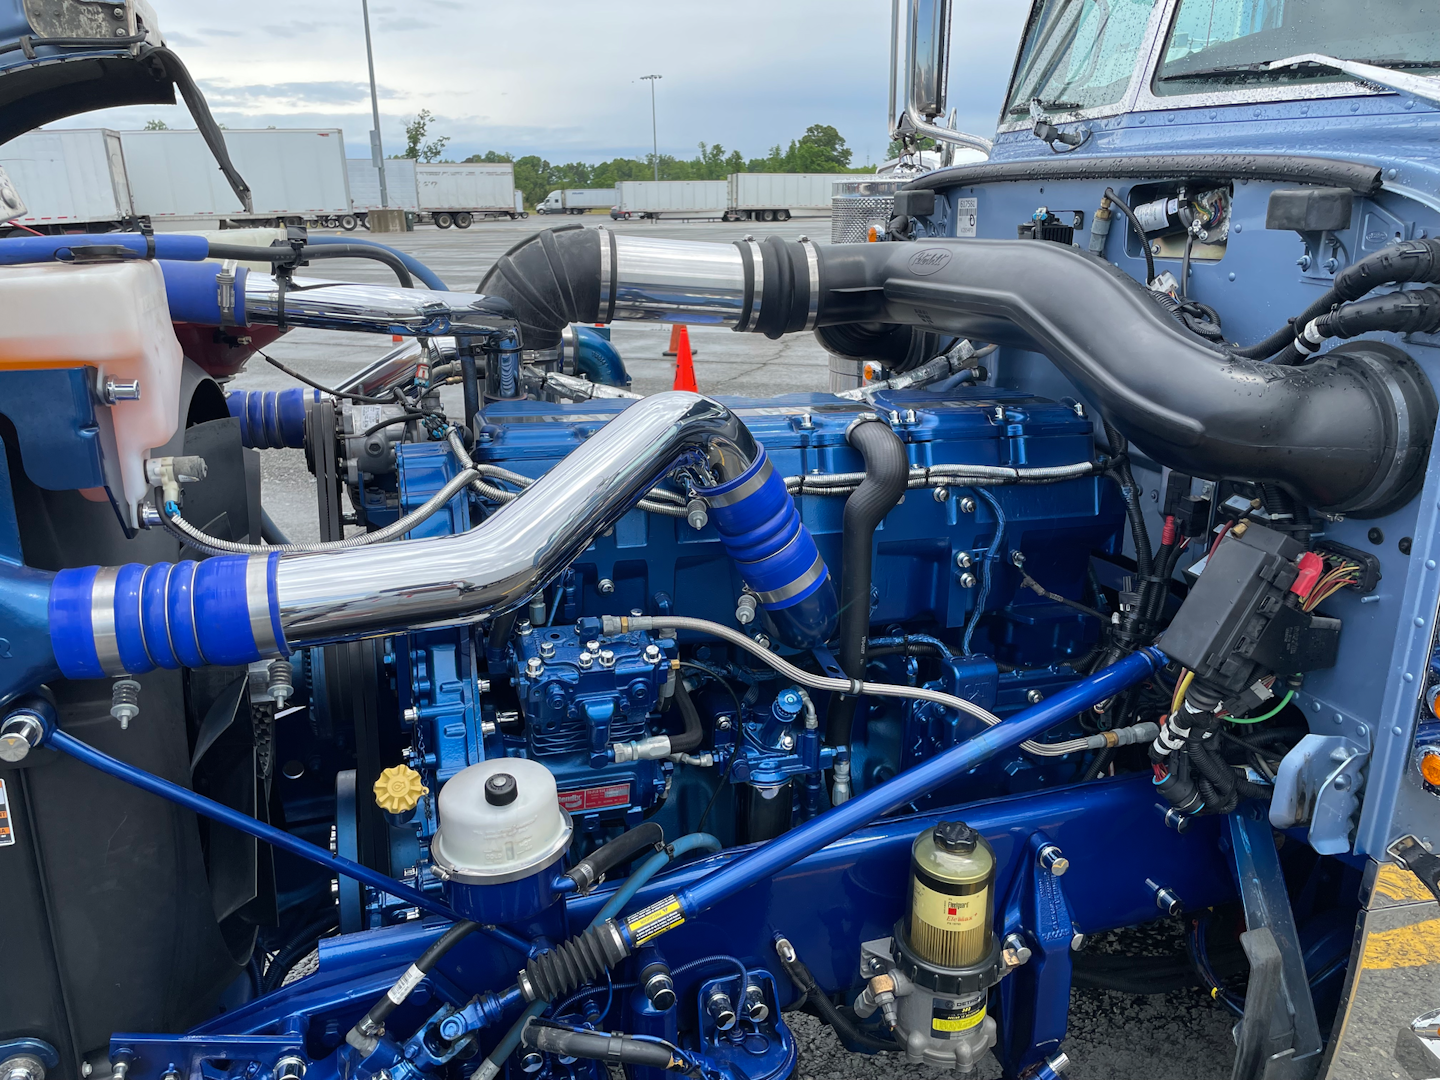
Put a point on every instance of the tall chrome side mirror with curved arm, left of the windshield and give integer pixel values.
(919, 73)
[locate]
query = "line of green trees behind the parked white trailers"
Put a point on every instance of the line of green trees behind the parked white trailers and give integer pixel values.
(820, 150)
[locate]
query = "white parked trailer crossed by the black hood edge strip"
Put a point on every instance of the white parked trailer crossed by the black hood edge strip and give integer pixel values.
(297, 176)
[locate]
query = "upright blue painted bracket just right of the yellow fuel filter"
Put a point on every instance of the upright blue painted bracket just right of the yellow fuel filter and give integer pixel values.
(1036, 997)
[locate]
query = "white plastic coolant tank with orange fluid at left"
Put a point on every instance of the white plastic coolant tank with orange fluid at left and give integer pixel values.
(110, 316)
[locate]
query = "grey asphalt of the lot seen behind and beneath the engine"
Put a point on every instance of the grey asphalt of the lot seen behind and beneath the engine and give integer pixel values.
(1179, 1036)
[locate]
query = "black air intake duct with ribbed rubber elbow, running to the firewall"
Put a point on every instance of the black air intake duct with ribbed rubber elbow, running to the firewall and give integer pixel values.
(1347, 434)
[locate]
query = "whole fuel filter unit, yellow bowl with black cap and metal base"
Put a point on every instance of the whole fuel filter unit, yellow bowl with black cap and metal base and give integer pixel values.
(932, 978)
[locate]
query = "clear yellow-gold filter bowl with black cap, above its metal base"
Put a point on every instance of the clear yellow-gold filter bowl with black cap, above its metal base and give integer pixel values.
(953, 896)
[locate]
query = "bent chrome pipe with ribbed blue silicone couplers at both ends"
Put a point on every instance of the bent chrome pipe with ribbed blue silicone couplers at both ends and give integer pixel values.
(240, 608)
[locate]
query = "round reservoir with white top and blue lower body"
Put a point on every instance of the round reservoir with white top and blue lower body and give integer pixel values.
(500, 837)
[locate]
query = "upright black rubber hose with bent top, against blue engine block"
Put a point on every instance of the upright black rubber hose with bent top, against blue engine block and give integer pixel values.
(888, 473)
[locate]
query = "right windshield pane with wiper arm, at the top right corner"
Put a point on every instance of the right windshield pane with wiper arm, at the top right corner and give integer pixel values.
(1219, 44)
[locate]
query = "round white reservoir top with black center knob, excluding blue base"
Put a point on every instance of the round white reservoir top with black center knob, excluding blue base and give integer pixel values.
(500, 822)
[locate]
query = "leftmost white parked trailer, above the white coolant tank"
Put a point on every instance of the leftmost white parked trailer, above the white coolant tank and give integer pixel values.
(71, 181)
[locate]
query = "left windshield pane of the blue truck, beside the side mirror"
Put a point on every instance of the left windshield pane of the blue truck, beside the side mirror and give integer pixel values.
(1078, 55)
